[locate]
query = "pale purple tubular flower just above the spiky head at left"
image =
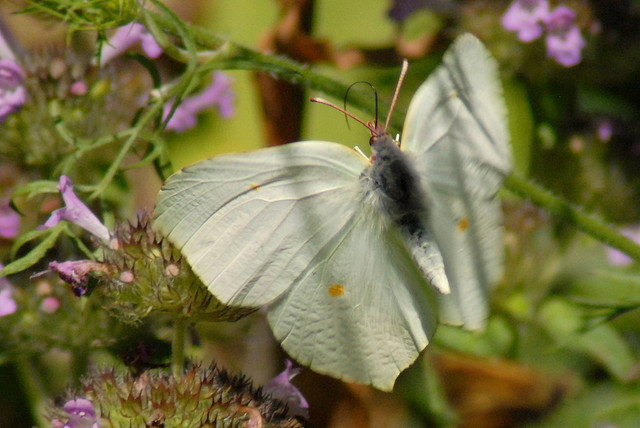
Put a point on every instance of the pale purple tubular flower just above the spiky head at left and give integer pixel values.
(76, 212)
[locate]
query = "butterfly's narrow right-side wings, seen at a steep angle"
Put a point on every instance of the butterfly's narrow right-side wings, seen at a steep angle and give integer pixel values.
(456, 125)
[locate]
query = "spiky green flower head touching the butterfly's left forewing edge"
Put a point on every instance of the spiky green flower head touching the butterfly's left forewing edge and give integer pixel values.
(148, 275)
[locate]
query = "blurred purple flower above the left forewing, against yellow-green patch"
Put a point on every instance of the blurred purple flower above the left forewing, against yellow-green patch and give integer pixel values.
(218, 93)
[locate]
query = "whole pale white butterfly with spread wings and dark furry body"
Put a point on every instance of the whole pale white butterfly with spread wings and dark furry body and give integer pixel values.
(339, 247)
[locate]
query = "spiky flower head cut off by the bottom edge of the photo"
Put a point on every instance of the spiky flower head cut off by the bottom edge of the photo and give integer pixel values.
(208, 397)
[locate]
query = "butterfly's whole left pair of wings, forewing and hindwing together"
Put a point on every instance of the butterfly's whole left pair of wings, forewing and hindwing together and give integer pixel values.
(291, 226)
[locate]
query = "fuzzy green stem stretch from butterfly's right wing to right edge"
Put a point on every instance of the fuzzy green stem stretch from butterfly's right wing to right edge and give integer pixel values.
(591, 224)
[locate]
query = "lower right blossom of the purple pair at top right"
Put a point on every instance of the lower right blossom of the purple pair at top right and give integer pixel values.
(564, 42)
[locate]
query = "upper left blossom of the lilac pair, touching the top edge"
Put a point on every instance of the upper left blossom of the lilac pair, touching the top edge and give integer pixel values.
(526, 17)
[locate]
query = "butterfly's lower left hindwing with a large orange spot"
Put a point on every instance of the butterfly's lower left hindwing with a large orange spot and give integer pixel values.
(366, 312)
